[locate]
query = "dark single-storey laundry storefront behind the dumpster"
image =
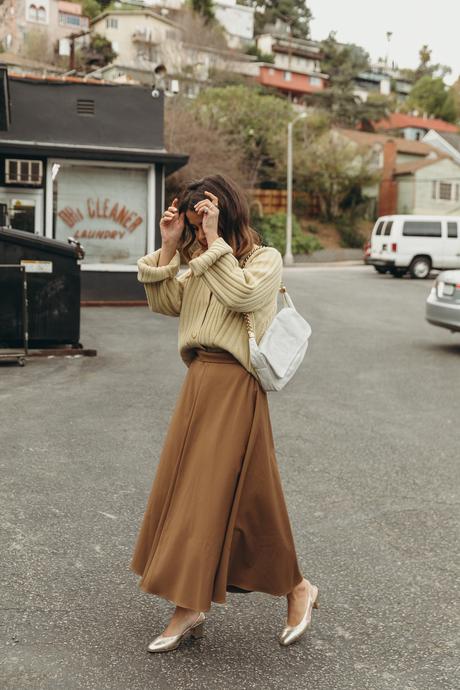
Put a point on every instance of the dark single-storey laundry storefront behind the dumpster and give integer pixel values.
(87, 161)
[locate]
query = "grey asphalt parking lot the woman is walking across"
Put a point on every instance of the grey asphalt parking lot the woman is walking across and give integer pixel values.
(368, 441)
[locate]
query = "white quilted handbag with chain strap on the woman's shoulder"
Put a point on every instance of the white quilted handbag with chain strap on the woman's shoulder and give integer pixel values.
(282, 347)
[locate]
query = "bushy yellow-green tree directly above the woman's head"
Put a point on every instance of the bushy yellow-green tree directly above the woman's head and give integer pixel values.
(253, 122)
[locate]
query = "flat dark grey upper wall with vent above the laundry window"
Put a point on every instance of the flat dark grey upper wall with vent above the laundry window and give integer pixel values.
(70, 117)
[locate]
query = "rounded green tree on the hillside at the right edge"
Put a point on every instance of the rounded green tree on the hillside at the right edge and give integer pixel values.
(431, 96)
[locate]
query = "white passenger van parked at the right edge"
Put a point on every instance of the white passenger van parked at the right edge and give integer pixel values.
(415, 244)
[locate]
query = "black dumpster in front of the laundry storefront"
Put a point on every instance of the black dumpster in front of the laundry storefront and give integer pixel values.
(53, 290)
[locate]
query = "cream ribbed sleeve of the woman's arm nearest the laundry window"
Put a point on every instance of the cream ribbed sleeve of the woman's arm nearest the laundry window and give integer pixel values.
(163, 289)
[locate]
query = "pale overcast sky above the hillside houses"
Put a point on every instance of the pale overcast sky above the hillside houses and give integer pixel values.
(413, 23)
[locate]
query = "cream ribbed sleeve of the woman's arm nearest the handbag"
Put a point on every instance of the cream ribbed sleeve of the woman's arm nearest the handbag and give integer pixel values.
(239, 289)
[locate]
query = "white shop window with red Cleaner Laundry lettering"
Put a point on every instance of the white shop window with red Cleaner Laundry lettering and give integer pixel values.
(103, 207)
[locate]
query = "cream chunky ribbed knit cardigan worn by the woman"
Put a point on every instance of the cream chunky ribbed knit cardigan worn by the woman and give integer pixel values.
(211, 296)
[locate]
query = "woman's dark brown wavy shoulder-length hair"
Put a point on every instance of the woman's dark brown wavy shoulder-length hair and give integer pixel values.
(233, 226)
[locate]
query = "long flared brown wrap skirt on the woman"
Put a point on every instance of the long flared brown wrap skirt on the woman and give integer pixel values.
(216, 518)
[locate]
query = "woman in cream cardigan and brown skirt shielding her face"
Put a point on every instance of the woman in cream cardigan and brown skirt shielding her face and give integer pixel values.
(216, 519)
